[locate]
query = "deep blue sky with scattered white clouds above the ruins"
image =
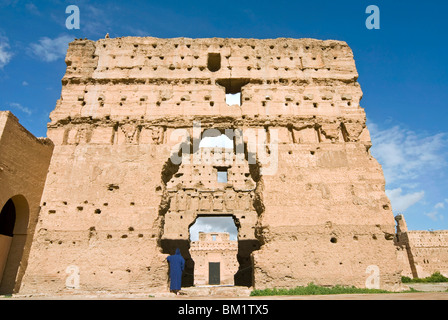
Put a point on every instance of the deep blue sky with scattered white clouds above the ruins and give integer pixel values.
(402, 67)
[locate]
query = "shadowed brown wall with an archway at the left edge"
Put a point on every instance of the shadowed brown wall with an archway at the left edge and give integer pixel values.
(24, 161)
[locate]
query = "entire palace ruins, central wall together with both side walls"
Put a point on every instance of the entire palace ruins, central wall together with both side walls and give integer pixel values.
(122, 175)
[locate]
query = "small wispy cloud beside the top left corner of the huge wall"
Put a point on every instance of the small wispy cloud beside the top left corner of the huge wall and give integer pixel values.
(51, 49)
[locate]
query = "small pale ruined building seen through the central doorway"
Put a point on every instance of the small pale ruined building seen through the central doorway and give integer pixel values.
(214, 247)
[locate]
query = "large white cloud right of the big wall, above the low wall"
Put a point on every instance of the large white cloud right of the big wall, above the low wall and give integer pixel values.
(409, 160)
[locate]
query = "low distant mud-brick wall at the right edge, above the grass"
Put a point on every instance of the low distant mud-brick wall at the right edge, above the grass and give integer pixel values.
(421, 253)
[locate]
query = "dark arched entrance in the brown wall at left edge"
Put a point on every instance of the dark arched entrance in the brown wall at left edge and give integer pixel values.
(14, 217)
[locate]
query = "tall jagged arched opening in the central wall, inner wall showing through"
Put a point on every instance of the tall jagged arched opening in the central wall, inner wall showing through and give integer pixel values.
(214, 174)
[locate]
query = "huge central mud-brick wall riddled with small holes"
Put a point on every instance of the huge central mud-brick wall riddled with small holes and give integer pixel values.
(109, 206)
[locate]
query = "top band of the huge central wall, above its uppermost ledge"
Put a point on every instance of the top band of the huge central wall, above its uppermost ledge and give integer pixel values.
(148, 57)
